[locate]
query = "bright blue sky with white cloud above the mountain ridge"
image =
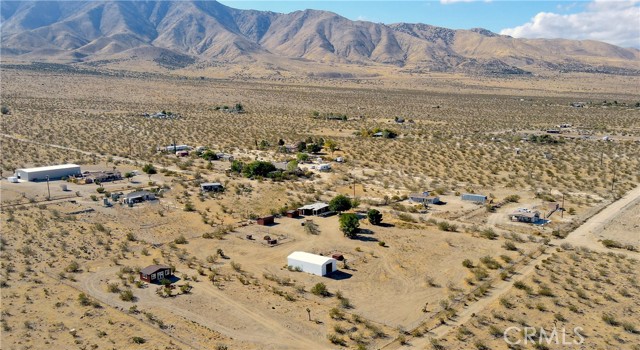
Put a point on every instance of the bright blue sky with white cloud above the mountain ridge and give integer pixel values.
(613, 21)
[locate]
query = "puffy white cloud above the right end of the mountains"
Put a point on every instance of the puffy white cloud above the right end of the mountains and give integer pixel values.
(614, 22)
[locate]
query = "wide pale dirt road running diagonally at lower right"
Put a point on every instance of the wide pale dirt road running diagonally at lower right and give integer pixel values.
(582, 236)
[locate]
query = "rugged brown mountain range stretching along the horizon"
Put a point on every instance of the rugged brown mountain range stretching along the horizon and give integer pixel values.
(178, 34)
